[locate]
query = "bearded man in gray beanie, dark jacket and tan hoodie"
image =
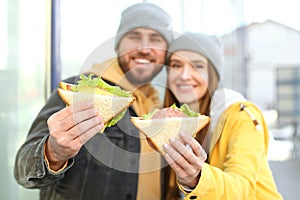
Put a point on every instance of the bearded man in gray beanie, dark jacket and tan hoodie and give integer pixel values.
(64, 156)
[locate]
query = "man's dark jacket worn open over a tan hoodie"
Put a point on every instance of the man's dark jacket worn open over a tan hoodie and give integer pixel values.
(105, 168)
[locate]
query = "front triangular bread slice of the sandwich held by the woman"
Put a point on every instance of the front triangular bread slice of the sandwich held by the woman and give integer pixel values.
(159, 131)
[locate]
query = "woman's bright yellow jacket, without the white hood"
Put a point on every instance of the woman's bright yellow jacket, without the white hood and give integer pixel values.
(238, 167)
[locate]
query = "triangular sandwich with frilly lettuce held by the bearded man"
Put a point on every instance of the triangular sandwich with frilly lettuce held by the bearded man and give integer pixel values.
(110, 101)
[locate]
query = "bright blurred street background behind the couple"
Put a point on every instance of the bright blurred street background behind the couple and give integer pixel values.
(44, 41)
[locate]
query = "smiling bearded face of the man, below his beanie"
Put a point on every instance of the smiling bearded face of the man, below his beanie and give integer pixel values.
(141, 53)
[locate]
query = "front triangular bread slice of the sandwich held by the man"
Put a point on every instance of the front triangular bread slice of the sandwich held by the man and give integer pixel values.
(108, 106)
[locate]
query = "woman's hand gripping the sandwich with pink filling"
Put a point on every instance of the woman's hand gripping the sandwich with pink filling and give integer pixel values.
(186, 157)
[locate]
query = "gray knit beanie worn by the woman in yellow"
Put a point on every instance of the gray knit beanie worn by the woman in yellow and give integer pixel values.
(206, 45)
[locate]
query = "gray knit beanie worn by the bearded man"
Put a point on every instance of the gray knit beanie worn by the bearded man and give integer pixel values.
(144, 15)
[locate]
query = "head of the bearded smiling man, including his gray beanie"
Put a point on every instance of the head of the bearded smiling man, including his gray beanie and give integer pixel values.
(141, 42)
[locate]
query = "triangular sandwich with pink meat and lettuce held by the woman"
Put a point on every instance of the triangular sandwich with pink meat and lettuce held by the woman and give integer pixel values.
(160, 125)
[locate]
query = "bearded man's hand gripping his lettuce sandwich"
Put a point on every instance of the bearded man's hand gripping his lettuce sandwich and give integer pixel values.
(70, 128)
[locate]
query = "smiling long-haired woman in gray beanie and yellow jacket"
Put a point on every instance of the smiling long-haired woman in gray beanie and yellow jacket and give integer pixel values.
(236, 141)
